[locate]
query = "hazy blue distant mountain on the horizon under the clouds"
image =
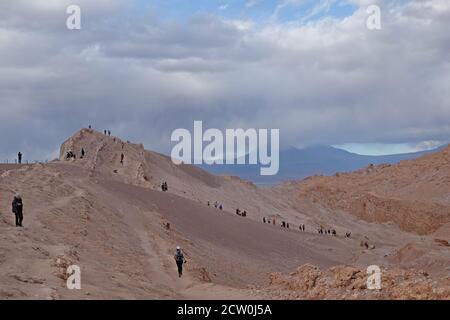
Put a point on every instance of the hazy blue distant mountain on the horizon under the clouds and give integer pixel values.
(296, 164)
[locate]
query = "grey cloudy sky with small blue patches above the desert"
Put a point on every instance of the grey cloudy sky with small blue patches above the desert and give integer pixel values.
(143, 68)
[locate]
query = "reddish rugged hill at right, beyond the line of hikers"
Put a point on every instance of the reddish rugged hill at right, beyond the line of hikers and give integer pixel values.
(413, 194)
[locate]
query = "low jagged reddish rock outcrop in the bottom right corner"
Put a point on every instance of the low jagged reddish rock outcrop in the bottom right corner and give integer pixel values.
(344, 282)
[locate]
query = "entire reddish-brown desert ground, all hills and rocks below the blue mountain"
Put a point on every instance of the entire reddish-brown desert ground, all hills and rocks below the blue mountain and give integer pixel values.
(111, 220)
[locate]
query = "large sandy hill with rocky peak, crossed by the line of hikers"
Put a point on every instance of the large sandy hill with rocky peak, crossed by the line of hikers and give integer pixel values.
(112, 219)
